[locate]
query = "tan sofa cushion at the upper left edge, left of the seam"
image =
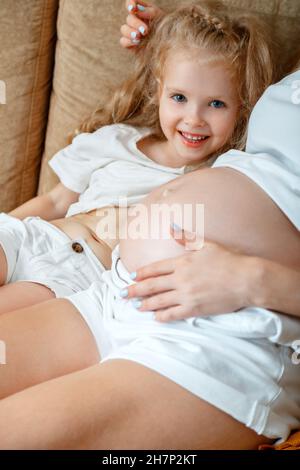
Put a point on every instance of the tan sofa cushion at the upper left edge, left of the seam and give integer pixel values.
(27, 38)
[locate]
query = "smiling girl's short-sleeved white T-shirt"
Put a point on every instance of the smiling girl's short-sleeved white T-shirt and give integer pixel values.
(106, 165)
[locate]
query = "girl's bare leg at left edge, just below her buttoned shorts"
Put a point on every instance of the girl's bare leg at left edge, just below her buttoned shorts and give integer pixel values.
(23, 294)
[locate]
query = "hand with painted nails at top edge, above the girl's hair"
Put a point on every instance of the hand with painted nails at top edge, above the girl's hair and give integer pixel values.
(137, 22)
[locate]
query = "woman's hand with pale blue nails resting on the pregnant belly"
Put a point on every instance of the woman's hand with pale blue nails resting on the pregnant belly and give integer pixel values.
(208, 279)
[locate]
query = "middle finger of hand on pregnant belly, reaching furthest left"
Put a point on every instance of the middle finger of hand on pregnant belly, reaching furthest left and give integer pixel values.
(151, 287)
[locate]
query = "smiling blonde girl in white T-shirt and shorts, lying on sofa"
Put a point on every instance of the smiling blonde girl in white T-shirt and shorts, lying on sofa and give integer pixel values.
(188, 100)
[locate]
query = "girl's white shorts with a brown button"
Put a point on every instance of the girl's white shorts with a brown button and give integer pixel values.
(37, 251)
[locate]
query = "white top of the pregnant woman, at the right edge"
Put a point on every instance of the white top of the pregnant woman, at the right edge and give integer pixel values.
(272, 157)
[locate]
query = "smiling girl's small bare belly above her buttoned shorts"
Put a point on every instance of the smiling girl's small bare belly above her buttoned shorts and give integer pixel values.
(99, 228)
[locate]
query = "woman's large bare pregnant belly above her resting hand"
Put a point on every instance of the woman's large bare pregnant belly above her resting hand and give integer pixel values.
(237, 213)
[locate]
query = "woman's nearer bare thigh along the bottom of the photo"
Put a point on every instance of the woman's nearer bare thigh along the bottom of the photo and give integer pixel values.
(117, 405)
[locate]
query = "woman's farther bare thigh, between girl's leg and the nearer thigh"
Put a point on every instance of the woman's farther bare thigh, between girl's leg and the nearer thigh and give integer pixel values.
(44, 341)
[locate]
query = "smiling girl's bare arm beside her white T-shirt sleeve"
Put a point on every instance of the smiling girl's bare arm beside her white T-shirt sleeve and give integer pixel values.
(49, 206)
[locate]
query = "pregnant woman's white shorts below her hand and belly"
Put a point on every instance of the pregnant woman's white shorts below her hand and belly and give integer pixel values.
(251, 378)
